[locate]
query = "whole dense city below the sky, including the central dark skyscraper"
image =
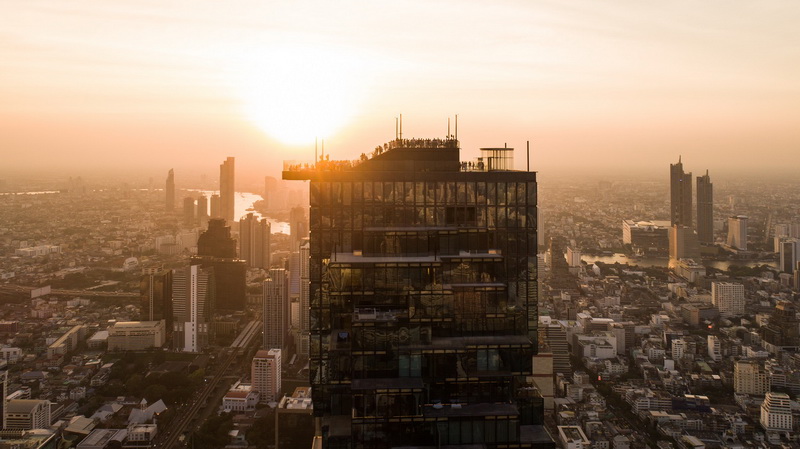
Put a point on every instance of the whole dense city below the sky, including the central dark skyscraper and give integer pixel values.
(428, 302)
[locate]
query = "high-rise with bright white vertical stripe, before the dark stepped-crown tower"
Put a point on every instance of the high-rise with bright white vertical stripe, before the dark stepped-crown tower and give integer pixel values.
(192, 306)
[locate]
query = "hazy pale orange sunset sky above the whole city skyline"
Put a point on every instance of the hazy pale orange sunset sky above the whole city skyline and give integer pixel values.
(143, 86)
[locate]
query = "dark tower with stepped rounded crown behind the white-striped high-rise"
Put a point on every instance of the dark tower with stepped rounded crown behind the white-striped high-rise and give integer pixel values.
(217, 249)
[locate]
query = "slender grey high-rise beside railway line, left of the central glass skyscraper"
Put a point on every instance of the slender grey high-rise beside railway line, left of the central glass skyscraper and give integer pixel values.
(276, 309)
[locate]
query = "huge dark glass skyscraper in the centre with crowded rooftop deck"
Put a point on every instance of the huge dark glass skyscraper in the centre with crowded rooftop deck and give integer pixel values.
(423, 298)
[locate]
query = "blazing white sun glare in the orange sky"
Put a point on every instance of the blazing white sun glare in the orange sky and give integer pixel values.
(298, 93)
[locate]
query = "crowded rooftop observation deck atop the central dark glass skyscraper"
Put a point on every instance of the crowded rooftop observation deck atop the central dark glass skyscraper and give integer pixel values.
(426, 155)
